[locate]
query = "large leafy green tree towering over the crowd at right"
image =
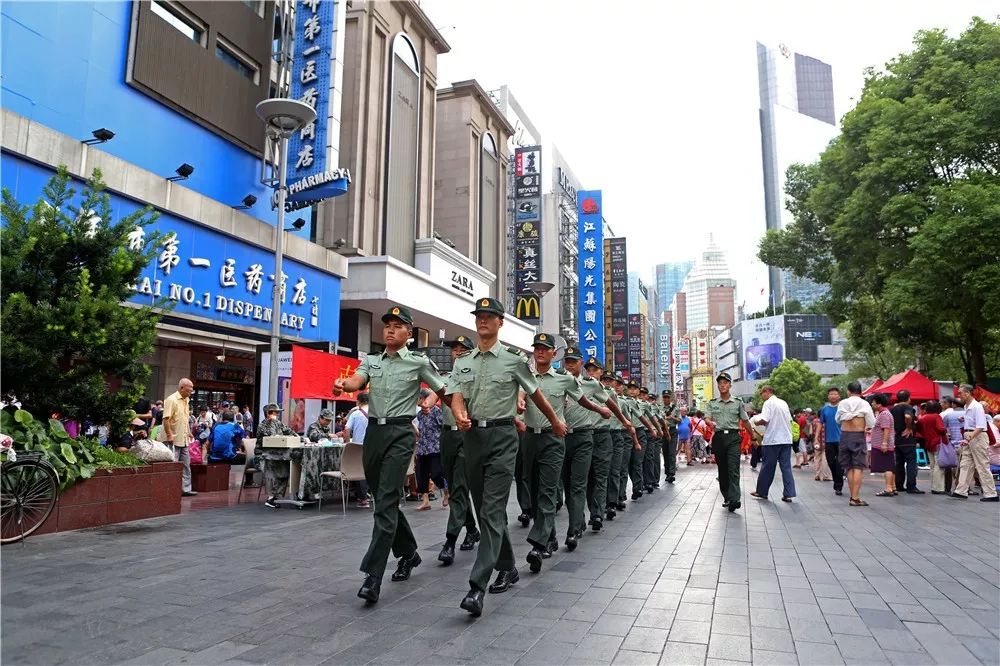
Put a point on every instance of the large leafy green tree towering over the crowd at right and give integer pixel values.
(900, 214)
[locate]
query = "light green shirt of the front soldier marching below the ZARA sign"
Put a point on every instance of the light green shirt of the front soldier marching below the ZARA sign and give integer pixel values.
(489, 380)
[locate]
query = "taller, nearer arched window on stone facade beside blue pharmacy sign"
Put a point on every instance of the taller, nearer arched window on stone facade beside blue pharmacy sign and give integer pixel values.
(400, 220)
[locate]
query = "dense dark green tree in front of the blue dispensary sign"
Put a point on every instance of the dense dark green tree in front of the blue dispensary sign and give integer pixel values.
(69, 343)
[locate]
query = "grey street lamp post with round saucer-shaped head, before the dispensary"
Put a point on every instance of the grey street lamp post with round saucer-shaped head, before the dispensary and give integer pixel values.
(282, 117)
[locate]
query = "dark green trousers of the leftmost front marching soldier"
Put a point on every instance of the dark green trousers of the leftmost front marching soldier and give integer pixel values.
(386, 456)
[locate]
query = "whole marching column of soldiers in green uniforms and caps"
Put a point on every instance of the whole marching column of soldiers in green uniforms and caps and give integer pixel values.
(573, 433)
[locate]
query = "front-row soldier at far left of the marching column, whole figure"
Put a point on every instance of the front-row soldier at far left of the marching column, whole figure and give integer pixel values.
(393, 379)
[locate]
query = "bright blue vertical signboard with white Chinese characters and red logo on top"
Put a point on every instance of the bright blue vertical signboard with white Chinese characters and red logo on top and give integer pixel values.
(591, 272)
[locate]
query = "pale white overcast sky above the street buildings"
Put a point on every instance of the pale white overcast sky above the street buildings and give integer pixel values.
(656, 103)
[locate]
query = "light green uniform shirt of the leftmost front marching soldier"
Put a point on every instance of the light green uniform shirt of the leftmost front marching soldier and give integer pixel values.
(394, 381)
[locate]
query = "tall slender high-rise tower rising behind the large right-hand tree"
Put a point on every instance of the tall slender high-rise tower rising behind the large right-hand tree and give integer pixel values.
(797, 122)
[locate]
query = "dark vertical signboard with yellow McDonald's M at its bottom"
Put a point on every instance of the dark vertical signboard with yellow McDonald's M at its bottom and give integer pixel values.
(527, 231)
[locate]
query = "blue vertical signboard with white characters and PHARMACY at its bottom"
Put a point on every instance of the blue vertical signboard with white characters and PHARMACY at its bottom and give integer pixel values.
(318, 56)
